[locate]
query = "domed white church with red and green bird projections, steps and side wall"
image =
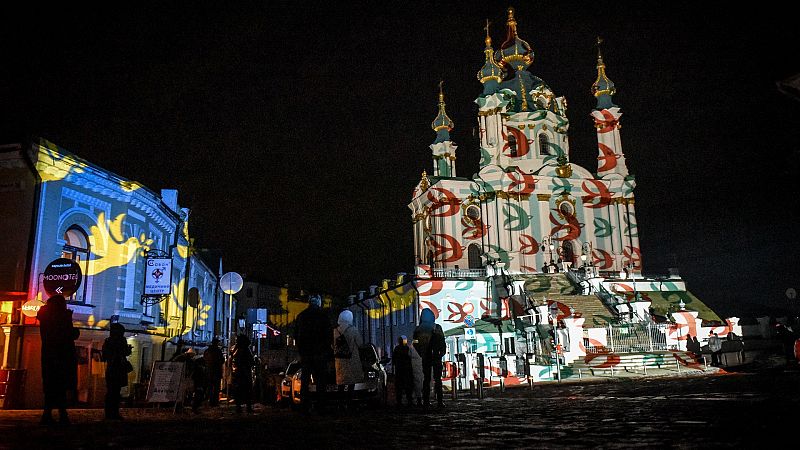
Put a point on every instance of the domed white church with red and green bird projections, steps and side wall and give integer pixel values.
(532, 252)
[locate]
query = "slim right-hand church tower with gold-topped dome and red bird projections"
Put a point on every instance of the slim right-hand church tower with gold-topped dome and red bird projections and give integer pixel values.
(611, 161)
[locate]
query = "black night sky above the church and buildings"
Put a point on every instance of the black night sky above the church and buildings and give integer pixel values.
(295, 131)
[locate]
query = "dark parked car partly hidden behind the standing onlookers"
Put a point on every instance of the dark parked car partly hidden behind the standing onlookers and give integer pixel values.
(371, 390)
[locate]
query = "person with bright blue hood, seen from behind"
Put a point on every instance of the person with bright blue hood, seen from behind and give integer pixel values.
(431, 347)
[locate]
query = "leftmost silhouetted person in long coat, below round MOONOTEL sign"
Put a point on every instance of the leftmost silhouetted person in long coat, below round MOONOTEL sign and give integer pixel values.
(59, 360)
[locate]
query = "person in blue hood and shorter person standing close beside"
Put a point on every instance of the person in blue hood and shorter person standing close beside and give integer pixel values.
(417, 362)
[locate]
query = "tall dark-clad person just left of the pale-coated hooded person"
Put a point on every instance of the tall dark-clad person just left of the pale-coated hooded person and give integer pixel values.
(313, 337)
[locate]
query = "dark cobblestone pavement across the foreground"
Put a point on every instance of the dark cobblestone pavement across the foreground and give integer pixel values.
(742, 410)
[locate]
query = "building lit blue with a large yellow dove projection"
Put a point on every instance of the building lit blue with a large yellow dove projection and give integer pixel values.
(64, 207)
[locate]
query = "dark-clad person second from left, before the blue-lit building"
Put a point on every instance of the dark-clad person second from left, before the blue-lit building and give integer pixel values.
(115, 354)
